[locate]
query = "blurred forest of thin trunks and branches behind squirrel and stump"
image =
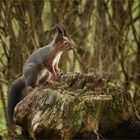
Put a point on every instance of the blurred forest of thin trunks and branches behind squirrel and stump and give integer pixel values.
(105, 36)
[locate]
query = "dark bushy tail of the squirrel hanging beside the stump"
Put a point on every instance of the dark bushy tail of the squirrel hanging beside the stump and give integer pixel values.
(14, 97)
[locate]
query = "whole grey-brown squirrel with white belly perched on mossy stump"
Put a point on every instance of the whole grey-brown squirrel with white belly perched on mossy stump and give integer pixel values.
(39, 67)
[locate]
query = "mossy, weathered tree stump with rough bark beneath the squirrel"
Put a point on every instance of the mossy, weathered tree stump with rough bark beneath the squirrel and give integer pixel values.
(75, 106)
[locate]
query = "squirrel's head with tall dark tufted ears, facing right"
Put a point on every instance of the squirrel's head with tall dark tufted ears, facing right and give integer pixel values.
(61, 40)
